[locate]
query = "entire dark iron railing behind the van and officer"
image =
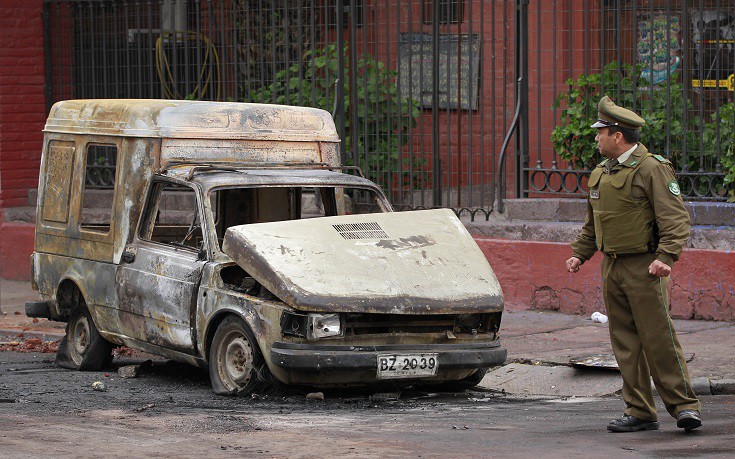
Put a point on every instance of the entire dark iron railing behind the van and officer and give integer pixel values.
(426, 106)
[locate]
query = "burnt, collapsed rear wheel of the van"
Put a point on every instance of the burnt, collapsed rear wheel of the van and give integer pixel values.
(83, 348)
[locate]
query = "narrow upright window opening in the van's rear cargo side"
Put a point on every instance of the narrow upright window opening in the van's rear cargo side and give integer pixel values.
(99, 187)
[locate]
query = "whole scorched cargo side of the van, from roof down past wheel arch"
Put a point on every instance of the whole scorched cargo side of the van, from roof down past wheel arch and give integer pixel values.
(66, 250)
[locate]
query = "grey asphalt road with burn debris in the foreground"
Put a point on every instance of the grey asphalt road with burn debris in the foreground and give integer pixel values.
(170, 411)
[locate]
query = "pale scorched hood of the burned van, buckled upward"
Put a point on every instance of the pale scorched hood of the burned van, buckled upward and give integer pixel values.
(398, 262)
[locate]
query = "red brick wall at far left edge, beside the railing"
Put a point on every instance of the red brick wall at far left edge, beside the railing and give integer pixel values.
(22, 117)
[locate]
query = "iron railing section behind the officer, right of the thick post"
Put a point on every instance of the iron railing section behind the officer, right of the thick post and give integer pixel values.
(673, 62)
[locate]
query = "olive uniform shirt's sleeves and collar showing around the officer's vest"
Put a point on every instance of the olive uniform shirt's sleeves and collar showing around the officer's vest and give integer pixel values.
(654, 181)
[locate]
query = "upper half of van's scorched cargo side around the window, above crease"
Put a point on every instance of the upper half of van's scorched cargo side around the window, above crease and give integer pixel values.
(62, 191)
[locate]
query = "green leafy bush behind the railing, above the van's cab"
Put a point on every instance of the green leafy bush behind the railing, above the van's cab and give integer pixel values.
(383, 117)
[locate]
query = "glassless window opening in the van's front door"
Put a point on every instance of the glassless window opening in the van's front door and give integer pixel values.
(172, 217)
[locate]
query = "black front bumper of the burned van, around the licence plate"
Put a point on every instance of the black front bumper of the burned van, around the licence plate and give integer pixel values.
(310, 357)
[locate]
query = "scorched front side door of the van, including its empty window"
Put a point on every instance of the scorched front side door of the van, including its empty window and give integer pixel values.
(158, 277)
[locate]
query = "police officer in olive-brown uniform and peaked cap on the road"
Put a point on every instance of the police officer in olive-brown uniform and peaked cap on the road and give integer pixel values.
(637, 219)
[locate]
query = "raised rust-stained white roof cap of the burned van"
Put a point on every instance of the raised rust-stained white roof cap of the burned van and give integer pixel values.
(191, 119)
